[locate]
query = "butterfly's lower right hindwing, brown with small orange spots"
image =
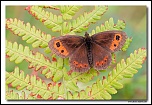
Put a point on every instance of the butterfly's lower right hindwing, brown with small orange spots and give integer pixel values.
(101, 57)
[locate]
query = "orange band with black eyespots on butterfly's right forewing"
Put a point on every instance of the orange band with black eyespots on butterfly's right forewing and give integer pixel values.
(116, 41)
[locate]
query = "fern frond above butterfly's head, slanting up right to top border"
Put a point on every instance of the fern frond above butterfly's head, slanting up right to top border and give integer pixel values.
(83, 21)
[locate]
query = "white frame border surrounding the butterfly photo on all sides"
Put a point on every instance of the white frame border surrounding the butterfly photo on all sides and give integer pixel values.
(118, 3)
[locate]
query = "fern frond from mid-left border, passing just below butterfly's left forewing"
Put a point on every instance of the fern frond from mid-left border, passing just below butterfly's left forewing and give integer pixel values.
(38, 61)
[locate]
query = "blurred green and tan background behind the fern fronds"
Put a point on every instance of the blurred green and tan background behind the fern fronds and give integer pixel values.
(136, 27)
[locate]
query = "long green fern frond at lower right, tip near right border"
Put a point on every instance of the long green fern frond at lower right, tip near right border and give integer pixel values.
(103, 88)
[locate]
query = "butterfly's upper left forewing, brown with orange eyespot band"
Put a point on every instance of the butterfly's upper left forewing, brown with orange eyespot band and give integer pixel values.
(64, 46)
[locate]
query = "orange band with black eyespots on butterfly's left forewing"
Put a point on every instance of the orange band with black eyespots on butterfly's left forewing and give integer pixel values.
(58, 46)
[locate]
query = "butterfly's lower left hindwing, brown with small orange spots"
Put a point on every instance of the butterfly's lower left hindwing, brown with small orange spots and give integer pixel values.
(79, 60)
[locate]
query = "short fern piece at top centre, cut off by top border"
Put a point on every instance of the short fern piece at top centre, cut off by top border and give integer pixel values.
(69, 11)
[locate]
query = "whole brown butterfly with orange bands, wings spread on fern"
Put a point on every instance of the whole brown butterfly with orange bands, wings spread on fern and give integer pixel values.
(88, 51)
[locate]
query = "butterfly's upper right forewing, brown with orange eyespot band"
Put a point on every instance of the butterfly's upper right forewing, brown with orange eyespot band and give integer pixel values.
(110, 40)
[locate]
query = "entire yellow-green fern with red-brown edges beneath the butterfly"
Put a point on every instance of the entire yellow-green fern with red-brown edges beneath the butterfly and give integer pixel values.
(63, 83)
